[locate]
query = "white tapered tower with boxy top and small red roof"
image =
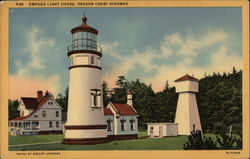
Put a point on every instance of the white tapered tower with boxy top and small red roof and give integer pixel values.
(187, 114)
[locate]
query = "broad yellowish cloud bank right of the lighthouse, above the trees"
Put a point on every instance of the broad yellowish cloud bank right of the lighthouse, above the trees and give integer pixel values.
(184, 51)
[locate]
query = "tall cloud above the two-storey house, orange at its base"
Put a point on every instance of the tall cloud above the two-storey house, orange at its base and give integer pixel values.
(31, 76)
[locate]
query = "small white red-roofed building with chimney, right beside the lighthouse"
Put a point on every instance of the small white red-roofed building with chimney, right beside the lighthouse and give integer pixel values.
(121, 120)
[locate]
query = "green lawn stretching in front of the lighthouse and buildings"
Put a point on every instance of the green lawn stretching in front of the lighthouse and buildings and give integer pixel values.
(169, 143)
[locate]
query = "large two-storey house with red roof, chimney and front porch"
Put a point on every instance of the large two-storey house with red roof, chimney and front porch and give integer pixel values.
(41, 115)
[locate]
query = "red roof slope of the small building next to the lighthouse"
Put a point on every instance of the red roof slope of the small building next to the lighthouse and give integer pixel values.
(124, 109)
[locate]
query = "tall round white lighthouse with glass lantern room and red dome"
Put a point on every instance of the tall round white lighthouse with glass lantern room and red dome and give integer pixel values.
(85, 122)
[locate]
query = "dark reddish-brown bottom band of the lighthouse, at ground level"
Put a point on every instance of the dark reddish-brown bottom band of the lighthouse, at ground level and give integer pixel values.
(85, 141)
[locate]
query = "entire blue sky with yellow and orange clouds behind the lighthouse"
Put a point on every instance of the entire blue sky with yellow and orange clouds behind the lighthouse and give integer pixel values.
(153, 44)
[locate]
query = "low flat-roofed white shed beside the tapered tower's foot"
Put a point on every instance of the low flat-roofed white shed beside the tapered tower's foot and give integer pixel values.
(162, 129)
